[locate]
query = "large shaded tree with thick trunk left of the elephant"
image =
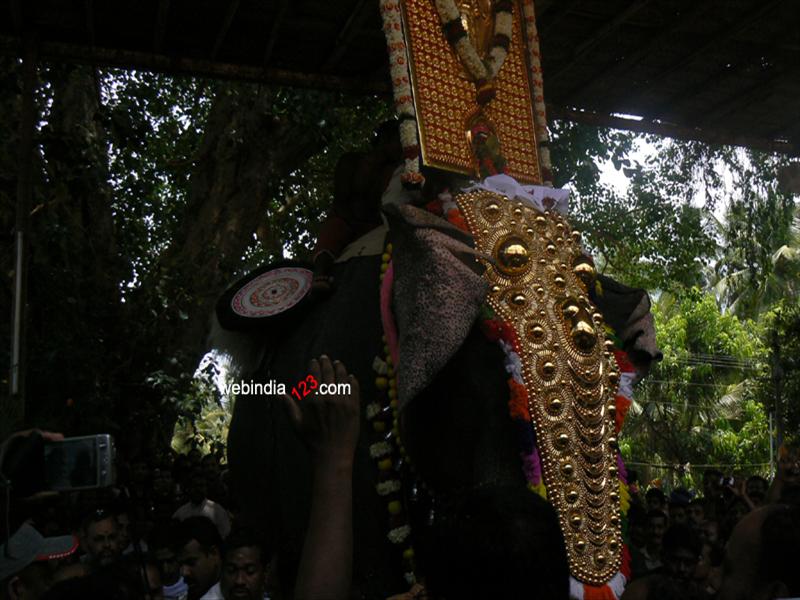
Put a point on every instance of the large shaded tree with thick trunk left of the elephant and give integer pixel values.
(151, 196)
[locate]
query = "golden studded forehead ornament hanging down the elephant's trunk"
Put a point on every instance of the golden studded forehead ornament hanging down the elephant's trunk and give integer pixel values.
(538, 283)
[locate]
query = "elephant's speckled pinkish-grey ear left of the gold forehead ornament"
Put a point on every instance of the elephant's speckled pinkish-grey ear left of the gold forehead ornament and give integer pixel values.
(438, 293)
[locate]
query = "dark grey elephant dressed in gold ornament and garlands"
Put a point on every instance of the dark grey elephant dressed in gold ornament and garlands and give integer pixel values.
(452, 393)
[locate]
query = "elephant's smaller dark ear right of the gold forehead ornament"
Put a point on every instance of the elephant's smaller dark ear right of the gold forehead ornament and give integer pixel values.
(627, 310)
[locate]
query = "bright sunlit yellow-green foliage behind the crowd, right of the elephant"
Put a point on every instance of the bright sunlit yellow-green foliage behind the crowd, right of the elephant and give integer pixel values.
(700, 404)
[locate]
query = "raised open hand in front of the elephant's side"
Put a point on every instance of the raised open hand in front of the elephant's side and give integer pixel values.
(328, 423)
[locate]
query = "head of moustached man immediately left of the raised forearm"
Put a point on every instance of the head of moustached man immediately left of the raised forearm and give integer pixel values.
(244, 567)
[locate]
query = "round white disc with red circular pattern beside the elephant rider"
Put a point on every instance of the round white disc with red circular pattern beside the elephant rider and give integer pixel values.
(272, 293)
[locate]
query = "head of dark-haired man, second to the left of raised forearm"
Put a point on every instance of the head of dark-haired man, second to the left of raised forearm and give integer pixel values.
(199, 548)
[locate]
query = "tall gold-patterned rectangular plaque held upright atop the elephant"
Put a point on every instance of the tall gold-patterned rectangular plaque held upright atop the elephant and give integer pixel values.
(453, 124)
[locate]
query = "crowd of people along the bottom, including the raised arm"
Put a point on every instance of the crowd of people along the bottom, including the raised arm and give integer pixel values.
(169, 528)
